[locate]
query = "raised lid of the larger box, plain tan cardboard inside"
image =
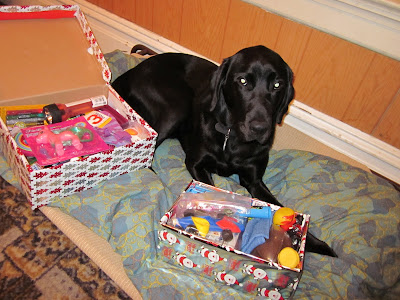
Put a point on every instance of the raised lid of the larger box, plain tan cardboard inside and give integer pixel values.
(49, 54)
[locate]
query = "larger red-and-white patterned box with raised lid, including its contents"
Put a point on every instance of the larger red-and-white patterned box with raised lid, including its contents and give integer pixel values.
(51, 57)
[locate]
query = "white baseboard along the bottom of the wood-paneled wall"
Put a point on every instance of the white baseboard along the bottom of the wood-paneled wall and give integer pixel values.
(121, 34)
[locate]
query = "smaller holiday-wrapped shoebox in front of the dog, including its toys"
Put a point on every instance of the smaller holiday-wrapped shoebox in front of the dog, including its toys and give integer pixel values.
(247, 244)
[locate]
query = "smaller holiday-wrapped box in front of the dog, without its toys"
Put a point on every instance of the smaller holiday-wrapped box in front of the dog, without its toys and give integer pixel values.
(224, 264)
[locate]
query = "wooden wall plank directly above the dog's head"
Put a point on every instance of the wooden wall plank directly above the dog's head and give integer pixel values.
(247, 25)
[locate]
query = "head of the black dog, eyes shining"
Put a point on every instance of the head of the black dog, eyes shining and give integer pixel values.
(252, 89)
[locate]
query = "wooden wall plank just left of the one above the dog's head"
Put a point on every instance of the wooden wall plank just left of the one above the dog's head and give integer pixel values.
(203, 26)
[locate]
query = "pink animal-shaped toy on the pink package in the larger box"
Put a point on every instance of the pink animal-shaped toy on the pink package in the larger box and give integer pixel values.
(57, 139)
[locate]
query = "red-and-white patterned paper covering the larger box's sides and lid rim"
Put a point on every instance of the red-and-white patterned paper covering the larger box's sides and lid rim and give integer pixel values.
(42, 186)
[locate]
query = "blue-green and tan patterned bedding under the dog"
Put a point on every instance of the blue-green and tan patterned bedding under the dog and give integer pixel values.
(356, 212)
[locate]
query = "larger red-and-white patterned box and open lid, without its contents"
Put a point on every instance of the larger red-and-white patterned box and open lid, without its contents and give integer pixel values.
(50, 56)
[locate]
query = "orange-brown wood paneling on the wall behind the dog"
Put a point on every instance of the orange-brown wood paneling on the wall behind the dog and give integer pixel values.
(334, 76)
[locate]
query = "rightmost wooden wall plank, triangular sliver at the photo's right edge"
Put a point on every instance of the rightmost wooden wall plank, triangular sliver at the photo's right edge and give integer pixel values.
(388, 129)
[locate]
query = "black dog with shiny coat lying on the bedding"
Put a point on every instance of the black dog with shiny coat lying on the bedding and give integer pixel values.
(224, 117)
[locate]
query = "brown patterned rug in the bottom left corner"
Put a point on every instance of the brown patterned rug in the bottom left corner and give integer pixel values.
(37, 261)
